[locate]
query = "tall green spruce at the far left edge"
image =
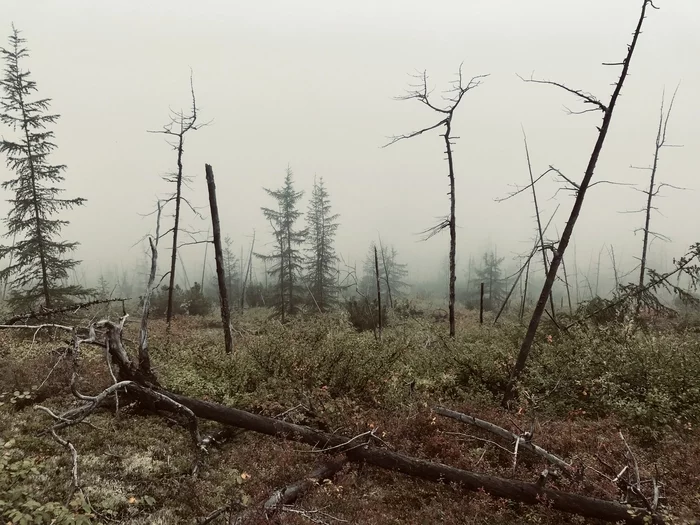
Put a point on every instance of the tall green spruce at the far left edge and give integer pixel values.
(39, 270)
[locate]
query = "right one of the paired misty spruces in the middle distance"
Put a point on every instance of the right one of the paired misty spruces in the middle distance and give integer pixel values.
(321, 259)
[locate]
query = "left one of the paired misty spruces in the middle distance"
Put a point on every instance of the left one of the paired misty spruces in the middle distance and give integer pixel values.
(286, 261)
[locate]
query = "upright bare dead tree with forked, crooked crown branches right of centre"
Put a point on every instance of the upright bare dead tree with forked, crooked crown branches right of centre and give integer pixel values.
(421, 93)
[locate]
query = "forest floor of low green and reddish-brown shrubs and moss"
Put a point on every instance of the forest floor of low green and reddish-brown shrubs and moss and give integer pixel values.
(582, 391)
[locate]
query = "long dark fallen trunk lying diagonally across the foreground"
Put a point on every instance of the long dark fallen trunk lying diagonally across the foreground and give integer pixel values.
(528, 493)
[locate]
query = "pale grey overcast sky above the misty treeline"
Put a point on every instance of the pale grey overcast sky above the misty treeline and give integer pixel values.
(311, 84)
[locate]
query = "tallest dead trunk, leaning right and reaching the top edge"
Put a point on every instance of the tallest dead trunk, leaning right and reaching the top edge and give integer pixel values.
(580, 195)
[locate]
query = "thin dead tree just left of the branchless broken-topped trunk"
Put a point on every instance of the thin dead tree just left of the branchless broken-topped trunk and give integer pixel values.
(180, 124)
